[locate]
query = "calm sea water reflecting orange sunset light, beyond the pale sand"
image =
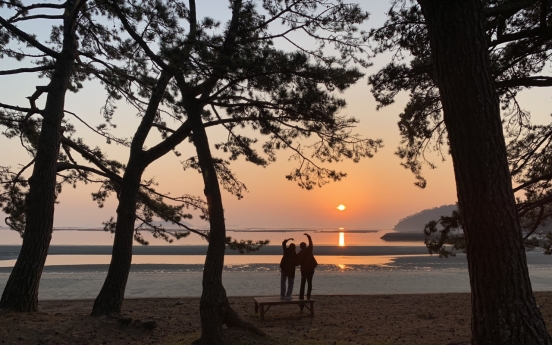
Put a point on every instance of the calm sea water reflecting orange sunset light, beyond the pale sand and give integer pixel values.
(377, 252)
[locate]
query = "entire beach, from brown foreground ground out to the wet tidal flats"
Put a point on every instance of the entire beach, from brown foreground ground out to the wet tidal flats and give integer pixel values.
(372, 300)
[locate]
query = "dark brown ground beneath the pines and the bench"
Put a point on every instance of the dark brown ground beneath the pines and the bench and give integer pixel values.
(363, 319)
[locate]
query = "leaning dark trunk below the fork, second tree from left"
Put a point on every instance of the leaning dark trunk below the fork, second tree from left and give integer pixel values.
(110, 299)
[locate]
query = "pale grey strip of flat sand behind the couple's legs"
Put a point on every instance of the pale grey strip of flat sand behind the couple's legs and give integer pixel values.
(410, 278)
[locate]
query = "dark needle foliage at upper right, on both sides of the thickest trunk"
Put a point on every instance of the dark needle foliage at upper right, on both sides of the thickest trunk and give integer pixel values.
(519, 45)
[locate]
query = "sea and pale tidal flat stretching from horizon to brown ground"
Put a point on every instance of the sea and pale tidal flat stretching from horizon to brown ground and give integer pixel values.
(376, 266)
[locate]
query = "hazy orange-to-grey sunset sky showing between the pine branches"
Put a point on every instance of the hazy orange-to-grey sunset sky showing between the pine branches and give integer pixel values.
(377, 192)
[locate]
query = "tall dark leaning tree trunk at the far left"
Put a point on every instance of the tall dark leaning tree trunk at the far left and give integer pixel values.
(21, 291)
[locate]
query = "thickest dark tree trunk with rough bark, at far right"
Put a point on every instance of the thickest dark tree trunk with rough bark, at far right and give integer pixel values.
(503, 307)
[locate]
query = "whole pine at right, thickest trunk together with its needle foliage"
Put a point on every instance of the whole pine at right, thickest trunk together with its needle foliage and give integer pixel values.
(507, 44)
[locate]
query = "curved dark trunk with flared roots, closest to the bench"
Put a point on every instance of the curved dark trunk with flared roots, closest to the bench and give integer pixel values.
(214, 307)
